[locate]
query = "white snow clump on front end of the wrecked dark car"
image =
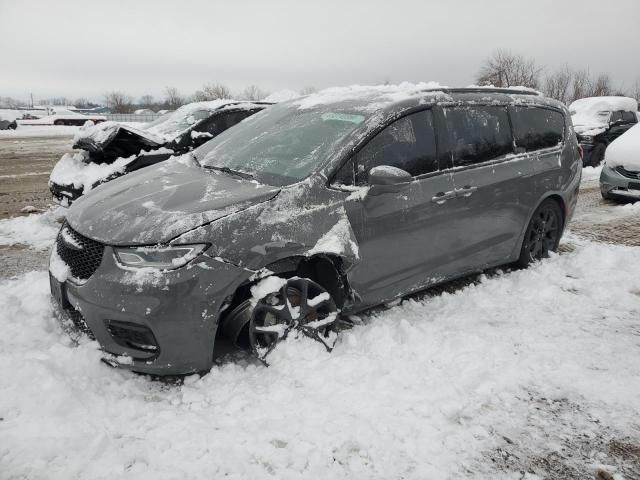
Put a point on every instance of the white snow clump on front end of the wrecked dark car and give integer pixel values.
(75, 170)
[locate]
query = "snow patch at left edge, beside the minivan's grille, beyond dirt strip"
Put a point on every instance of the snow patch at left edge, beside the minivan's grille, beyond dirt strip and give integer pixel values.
(36, 230)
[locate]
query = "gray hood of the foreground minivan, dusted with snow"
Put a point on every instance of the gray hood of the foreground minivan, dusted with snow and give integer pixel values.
(158, 203)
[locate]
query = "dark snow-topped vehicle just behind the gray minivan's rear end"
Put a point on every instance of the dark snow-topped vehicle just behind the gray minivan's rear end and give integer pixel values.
(598, 121)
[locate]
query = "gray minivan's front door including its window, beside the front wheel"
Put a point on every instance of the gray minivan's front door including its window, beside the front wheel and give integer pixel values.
(404, 234)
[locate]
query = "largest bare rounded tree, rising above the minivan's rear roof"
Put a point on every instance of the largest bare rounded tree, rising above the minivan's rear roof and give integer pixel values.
(504, 68)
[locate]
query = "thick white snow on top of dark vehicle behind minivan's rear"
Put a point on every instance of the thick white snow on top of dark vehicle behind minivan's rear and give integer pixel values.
(590, 116)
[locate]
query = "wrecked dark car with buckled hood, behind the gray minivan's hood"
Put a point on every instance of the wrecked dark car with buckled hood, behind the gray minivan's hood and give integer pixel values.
(111, 149)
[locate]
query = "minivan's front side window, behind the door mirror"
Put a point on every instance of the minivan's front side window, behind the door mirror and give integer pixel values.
(408, 143)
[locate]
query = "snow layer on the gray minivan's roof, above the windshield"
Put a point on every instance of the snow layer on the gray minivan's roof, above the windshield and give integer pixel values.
(378, 95)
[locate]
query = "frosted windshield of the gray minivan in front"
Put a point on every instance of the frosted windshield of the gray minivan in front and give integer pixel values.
(280, 145)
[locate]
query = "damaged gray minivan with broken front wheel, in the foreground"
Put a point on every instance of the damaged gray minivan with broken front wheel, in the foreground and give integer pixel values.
(331, 203)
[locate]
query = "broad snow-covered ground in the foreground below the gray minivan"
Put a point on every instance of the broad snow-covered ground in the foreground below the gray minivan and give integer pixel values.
(428, 389)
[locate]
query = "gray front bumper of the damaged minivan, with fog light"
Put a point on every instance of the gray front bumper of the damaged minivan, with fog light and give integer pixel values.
(151, 321)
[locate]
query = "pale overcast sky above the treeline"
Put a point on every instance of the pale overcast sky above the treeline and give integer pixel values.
(84, 48)
